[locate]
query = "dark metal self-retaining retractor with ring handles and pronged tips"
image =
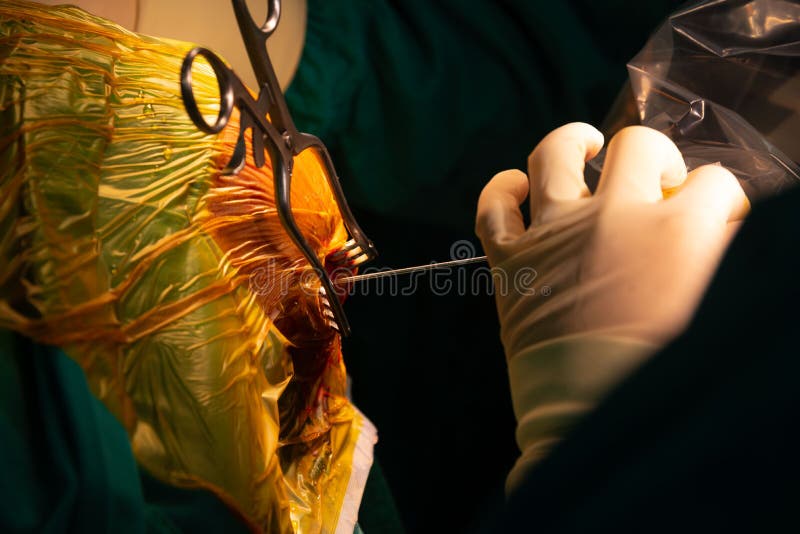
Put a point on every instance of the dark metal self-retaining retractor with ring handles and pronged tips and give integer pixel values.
(280, 138)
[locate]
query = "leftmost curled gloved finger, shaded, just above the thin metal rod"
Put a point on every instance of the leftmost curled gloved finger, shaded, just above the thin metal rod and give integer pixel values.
(499, 218)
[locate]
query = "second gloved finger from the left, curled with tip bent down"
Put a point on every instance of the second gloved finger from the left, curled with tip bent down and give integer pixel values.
(556, 166)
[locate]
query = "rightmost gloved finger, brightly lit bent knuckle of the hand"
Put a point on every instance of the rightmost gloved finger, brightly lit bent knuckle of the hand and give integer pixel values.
(716, 192)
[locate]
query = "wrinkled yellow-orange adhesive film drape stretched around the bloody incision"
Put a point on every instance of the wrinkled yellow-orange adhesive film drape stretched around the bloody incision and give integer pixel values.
(172, 285)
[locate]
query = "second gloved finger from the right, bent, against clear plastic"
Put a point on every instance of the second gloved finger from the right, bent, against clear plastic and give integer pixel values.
(639, 163)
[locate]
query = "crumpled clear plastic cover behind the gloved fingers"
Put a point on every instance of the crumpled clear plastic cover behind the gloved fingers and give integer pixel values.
(722, 80)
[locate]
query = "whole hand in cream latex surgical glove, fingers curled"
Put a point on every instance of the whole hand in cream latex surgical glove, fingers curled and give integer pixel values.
(618, 273)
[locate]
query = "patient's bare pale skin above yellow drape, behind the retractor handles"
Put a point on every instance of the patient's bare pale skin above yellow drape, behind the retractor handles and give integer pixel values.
(214, 26)
